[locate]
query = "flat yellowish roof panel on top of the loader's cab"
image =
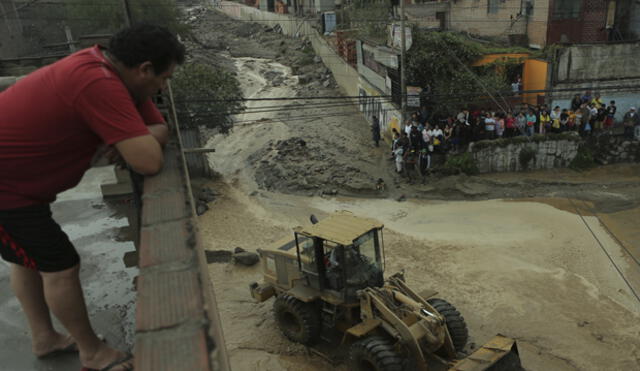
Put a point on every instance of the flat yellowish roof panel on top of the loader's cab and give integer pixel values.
(341, 228)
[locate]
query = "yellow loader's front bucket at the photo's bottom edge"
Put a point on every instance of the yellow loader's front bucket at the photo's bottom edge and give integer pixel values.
(498, 354)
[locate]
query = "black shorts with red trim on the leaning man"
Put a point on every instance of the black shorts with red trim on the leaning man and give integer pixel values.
(30, 237)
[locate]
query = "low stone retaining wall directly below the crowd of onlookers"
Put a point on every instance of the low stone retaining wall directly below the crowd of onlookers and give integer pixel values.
(503, 155)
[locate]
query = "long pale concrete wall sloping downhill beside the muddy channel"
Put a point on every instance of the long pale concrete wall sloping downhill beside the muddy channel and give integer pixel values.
(346, 76)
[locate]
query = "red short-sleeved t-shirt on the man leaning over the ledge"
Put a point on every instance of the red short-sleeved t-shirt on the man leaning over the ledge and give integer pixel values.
(53, 120)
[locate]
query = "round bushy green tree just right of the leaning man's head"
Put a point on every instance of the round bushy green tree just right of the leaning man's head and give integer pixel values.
(206, 96)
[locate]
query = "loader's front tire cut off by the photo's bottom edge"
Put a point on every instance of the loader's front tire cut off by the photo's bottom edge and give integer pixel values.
(374, 353)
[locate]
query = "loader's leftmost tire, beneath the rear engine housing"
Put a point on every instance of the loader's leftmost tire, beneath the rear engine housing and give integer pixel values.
(298, 321)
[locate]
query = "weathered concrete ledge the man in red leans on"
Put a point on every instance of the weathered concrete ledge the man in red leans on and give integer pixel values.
(177, 324)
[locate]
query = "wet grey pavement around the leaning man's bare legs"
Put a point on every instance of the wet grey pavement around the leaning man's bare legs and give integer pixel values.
(95, 229)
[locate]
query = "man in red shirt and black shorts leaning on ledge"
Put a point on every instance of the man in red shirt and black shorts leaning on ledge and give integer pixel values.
(52, 123)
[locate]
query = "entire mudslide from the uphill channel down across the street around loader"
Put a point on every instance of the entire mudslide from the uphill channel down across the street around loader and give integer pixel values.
(546, 257)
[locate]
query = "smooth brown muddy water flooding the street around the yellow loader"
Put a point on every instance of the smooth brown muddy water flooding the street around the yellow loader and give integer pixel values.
(526, 270)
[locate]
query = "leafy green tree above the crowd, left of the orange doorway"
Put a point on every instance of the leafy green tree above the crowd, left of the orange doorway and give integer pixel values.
(438, 60)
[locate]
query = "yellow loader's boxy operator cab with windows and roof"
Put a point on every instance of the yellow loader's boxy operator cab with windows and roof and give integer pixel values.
(341, 255)
